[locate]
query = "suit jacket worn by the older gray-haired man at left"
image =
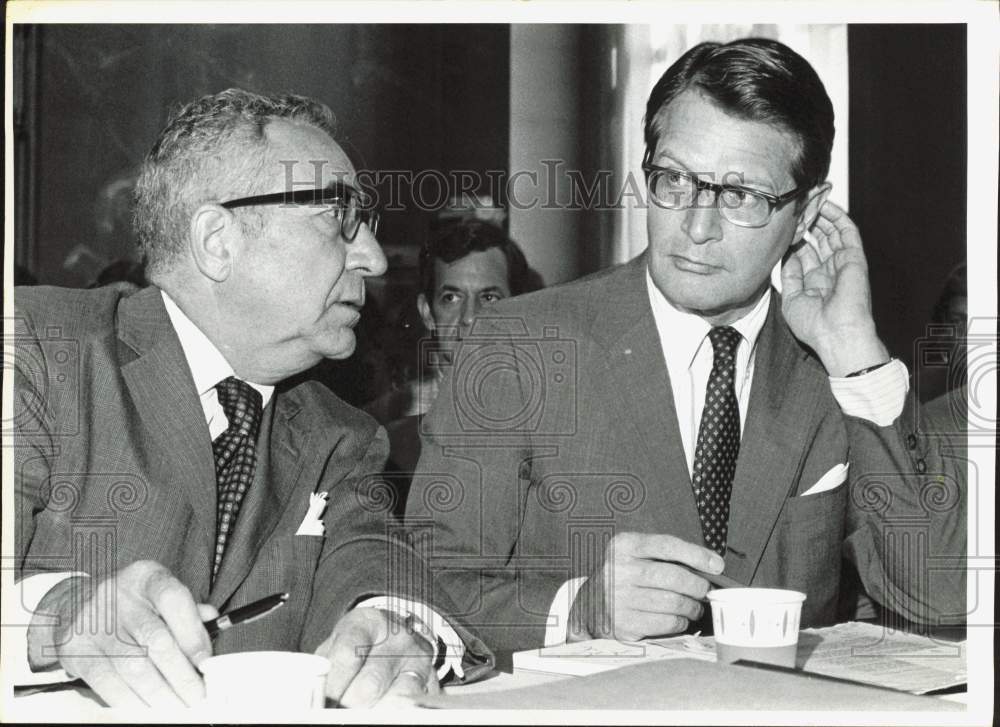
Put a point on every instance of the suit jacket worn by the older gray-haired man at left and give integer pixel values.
(114, 464)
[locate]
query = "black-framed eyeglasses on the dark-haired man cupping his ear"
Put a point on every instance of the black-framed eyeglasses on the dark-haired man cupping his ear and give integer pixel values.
(676, 189)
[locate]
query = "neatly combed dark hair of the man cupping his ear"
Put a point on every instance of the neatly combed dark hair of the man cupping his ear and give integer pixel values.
(757, 80)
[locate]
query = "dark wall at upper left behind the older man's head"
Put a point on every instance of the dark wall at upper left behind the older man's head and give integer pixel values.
(408, 97)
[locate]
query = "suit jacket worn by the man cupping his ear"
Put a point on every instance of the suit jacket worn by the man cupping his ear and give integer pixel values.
(556, 429)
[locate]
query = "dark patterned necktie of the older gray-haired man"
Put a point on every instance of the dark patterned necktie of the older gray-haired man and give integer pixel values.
(235, 456)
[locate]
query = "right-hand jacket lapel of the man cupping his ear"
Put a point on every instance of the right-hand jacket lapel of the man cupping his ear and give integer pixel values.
(783, 401)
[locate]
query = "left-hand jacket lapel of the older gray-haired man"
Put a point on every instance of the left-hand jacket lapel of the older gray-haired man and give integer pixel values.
(175, 436)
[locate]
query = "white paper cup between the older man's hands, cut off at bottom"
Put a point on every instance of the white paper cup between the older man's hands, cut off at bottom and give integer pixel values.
(265, 680)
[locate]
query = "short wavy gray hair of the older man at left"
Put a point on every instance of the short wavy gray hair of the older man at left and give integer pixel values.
(211, 149)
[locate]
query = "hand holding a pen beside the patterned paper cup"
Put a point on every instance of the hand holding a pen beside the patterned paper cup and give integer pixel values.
(643, 589)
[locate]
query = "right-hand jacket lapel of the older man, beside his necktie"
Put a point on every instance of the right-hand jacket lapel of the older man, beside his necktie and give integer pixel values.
(280, 444)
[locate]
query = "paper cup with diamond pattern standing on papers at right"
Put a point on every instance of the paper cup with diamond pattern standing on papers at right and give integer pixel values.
(758, 624)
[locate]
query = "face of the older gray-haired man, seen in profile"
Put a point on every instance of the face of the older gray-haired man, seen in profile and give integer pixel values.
(297, 288)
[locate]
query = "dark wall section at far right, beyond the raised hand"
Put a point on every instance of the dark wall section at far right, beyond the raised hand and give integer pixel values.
(908, 168)
